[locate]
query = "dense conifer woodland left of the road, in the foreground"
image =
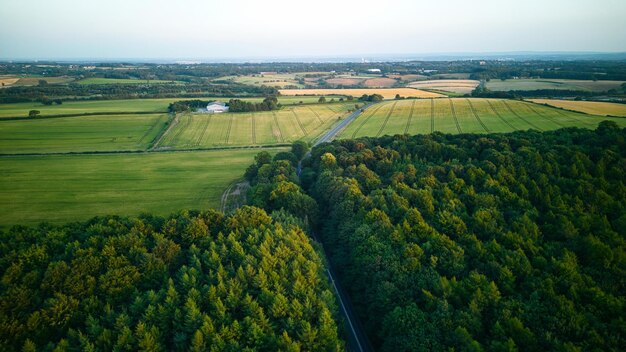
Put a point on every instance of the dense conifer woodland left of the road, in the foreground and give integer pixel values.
(190, 282)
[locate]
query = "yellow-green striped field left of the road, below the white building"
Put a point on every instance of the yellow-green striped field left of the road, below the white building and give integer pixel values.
(305, 122)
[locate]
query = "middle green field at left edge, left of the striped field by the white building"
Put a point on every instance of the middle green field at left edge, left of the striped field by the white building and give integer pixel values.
(80, 134)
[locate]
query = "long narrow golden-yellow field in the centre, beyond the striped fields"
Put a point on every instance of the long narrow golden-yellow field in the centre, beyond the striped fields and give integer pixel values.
(387, 93)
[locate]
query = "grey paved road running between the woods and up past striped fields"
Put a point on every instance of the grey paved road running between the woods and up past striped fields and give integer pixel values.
(357, 339)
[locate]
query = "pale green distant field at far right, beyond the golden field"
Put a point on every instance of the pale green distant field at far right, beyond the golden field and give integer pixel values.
(561, 84)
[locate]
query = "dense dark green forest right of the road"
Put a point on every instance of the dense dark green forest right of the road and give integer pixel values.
(497, 242)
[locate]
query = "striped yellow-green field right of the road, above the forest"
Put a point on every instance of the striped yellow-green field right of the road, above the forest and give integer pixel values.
(461, 115)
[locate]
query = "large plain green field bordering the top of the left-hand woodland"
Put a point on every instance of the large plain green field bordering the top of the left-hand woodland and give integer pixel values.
(62, 188)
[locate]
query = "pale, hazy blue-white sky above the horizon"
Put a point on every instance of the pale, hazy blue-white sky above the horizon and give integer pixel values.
(197, 29)
